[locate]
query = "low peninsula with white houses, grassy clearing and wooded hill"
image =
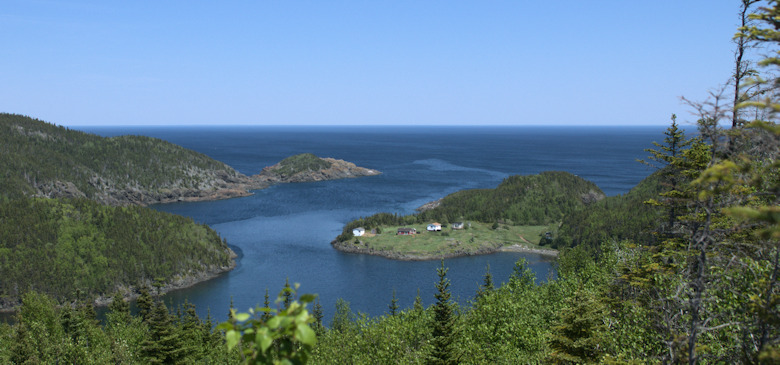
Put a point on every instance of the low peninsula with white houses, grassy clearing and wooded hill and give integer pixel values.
(521, 214)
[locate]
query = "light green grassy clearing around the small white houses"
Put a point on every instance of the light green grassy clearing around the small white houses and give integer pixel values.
(471, 240)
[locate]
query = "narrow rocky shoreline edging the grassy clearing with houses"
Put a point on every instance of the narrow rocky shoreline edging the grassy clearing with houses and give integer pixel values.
(393, 255)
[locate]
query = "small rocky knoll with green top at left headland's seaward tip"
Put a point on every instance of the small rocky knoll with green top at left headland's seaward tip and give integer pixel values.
(336, 169)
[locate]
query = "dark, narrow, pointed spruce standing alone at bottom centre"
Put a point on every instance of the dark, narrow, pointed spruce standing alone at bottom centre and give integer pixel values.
(444, 322)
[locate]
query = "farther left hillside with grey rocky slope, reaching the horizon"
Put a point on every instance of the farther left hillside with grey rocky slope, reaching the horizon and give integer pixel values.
(41, 159)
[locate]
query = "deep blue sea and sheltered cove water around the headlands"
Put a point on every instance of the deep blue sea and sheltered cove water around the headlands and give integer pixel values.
(285, 231)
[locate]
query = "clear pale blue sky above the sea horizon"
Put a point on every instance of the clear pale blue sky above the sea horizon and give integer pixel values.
(605, 62)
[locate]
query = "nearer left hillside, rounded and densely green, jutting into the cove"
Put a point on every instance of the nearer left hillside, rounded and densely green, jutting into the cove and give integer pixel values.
(59, 246)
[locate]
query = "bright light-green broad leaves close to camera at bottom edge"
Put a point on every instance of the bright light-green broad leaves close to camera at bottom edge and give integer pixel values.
(286, 338)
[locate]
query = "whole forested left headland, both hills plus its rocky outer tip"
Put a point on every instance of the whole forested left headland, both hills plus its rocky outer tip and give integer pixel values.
(72, 215)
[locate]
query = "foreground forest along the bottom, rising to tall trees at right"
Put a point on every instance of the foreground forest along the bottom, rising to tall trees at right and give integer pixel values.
(704, 289)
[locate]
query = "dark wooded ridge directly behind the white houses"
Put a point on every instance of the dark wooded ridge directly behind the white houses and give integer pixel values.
(539, 199)
